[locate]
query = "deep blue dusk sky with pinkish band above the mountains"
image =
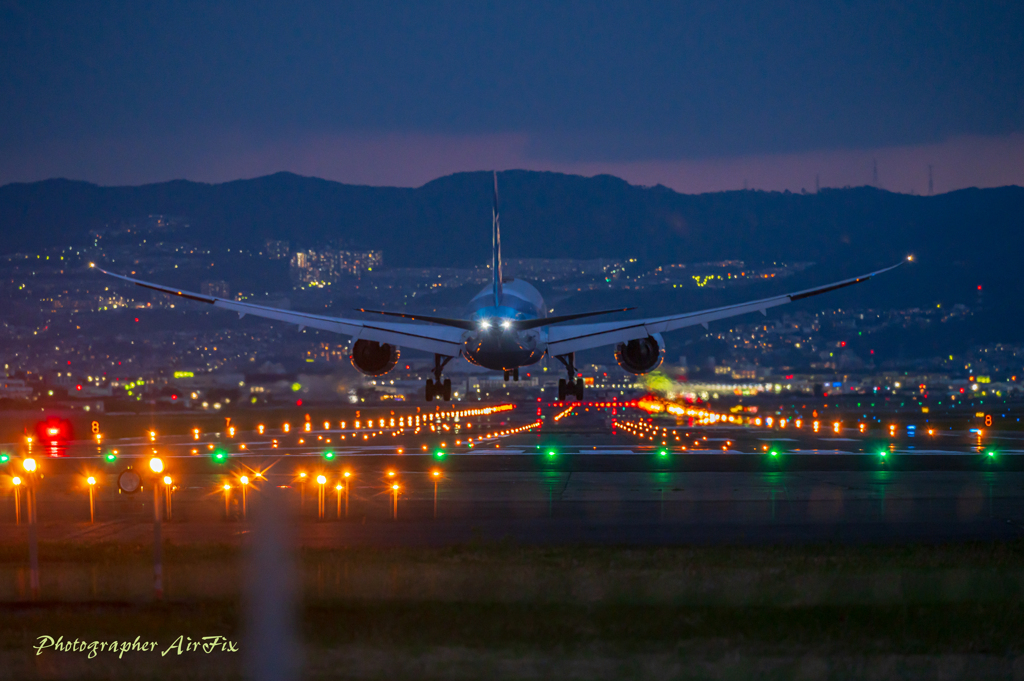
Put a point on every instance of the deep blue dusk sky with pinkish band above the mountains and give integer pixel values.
(699, 98)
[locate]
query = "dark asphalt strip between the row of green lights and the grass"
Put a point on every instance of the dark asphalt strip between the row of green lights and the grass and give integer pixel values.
(557, 507)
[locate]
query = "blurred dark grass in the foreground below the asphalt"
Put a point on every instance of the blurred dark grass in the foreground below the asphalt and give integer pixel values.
(499, 611)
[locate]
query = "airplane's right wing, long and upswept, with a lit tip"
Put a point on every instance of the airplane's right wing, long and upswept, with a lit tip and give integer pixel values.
(563, 340)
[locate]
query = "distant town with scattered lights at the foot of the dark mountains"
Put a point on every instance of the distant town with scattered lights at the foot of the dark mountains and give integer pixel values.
(75, 339)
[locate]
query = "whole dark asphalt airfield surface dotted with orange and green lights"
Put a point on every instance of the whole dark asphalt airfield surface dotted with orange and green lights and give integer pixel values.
(583, 479)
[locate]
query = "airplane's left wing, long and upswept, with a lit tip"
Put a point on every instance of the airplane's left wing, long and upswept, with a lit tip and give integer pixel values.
(441, 340)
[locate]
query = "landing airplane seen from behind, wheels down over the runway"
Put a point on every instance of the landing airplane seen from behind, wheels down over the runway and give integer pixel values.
(505, 328)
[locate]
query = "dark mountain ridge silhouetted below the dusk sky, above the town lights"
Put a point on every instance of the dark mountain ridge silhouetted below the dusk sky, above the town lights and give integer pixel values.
(962, 240)
